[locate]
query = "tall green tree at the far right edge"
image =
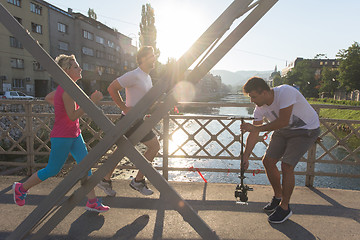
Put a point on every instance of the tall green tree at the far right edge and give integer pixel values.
(349, 69)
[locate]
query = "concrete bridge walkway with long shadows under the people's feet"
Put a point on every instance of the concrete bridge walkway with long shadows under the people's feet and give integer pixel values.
(318, 213)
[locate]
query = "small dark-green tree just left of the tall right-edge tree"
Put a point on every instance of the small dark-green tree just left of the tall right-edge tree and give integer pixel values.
(329, 83)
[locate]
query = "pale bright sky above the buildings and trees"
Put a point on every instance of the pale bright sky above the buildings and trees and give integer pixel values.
(290, 29)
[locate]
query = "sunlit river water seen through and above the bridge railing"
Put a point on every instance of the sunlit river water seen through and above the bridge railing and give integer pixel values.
(259, 150)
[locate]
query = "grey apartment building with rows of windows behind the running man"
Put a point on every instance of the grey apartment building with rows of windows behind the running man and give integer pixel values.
(103, 53)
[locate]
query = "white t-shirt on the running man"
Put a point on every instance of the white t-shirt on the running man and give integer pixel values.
(136, 83)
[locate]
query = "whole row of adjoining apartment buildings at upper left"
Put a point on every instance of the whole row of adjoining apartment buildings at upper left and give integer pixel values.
(103, 53)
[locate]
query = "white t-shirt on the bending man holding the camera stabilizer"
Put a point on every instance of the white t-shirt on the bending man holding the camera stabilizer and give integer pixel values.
(303, 116)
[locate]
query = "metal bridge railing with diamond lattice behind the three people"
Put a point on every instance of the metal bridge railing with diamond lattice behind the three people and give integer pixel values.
(25, 143)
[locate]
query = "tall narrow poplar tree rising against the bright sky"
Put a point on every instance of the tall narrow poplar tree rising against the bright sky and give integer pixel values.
(147, 28)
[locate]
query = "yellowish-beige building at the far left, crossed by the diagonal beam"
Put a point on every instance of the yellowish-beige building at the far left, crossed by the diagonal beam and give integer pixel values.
(18, 69)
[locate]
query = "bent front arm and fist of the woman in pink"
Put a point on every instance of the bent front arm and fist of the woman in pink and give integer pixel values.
(70, 106)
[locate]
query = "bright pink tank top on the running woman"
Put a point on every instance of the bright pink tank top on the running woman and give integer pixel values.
(63, 126)
